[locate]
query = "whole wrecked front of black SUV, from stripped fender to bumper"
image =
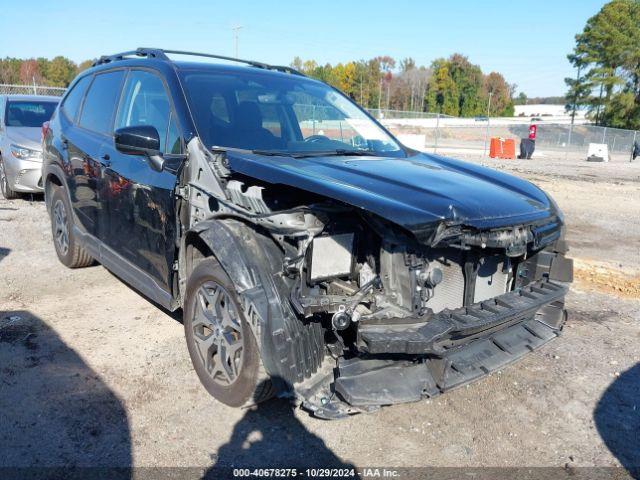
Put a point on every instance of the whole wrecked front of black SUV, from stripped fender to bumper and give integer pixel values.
(404, 313)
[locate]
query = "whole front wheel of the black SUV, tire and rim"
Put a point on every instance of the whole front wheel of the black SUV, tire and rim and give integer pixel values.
(222, 347)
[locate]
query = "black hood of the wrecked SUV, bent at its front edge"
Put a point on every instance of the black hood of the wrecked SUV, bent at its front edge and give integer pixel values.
(412, 192)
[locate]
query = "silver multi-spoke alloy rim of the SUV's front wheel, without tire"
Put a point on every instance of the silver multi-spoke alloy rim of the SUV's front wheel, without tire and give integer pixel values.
(217, 333)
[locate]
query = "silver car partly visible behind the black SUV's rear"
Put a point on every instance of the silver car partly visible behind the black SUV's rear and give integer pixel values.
(21, 119)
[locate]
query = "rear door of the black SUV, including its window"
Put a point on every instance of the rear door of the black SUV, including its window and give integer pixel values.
(84, 142)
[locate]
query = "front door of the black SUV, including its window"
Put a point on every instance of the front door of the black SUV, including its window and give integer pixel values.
(140, 200)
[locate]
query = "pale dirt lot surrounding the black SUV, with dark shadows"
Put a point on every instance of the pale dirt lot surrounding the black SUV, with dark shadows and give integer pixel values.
(92, 373)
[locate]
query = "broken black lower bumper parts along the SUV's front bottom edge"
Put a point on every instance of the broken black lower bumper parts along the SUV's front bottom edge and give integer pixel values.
(406, 362)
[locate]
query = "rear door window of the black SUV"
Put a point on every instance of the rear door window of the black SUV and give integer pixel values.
(101, 101)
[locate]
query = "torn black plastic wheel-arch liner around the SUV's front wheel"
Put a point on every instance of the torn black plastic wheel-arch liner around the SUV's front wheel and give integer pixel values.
(291, 349)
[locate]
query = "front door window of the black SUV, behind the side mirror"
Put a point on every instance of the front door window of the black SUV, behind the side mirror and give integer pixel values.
(145, 102)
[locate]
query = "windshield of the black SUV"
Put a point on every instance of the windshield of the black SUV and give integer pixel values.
(281, 115)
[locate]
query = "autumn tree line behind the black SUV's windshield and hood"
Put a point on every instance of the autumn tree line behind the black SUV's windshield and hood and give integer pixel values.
(451, 86)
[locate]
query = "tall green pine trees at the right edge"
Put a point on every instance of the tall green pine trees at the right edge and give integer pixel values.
(607, 62)
